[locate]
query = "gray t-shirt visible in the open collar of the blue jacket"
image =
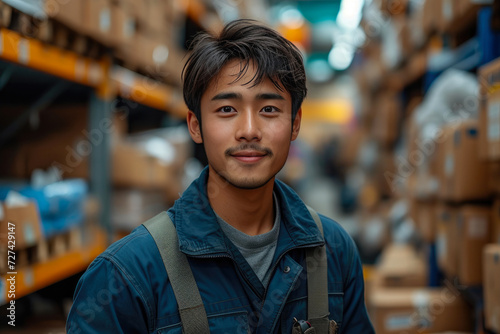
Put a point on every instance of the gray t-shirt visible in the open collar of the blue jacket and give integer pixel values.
(258, 250)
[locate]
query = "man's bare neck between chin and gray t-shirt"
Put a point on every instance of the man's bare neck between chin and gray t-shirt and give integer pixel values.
(249, 210)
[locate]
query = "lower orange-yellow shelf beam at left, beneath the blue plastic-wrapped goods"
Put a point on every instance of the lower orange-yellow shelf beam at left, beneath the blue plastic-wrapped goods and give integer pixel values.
(41, 275)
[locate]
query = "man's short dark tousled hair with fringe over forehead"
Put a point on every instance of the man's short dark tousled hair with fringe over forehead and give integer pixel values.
(276, 58)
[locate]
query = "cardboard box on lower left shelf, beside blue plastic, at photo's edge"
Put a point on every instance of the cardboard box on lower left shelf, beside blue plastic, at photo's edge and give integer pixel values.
(28, 226)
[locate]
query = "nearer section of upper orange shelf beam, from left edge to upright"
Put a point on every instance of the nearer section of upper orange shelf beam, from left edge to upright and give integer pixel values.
(50, 59)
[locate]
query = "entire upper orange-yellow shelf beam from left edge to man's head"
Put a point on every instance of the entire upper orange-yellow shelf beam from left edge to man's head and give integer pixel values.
(69, 65)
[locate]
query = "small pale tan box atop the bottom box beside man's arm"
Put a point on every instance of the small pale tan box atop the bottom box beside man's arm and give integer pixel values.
(401, 266)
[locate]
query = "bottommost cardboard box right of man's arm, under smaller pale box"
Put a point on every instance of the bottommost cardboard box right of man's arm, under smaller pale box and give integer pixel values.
(418, 310)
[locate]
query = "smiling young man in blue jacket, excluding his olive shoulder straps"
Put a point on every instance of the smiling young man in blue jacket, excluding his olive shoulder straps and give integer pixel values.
(245, 233)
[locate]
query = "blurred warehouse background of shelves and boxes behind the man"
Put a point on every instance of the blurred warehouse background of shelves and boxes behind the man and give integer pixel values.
(400, 142)
